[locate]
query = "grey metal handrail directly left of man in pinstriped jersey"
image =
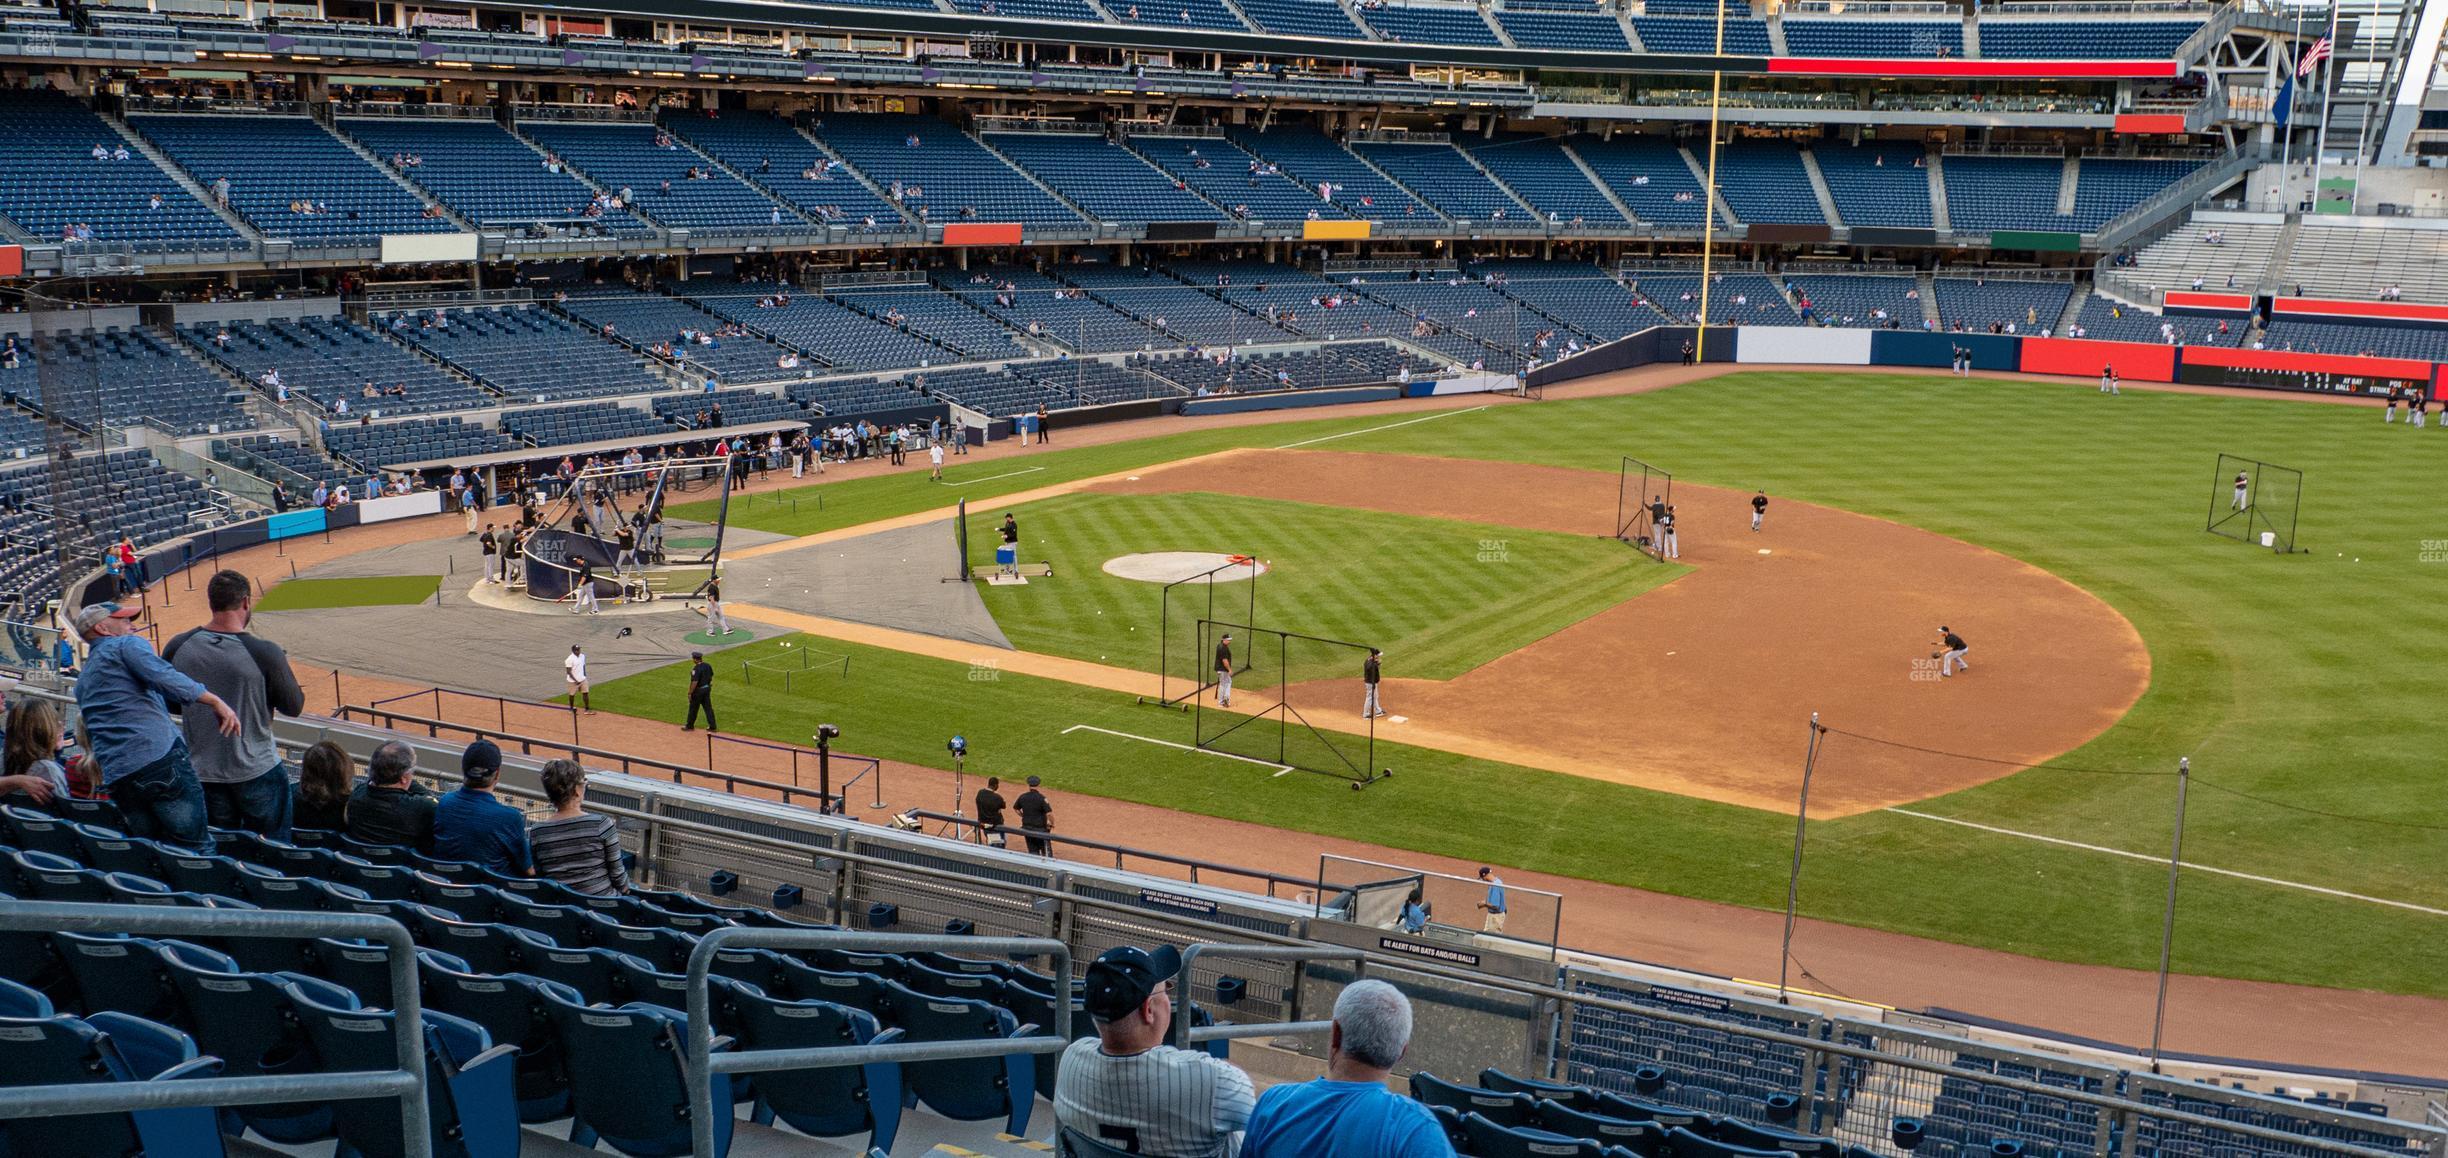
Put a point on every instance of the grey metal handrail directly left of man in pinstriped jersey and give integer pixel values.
(701, 1061)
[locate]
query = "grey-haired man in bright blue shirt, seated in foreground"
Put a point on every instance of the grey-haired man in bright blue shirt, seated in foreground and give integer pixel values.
(1350, 1110)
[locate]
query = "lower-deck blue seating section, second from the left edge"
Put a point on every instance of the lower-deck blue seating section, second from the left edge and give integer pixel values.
(332, 361)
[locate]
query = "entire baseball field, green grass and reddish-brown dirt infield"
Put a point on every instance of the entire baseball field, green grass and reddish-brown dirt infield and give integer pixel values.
(1583, 711)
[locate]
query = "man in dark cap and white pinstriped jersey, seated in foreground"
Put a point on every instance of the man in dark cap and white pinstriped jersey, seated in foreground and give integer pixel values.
(1127, 1088)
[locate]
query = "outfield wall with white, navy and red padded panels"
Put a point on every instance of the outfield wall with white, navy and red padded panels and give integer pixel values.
(2214, 366)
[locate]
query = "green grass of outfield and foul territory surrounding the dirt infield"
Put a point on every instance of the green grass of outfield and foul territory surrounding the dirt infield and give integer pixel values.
(2300, 687)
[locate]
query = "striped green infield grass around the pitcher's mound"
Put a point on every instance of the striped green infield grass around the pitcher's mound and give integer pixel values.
(1421, 589)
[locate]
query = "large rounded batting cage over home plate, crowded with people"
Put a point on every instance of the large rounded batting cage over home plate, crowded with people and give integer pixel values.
(584, 525)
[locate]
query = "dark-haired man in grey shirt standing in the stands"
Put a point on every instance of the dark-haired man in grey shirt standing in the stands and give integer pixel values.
(246, 785)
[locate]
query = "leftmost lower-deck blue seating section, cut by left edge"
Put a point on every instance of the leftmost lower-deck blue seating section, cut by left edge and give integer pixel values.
(124, 378)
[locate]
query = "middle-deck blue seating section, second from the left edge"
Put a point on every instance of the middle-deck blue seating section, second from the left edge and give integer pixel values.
(290, 177)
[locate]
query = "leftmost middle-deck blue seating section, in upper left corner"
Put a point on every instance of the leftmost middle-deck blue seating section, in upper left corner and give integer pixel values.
(50, 182)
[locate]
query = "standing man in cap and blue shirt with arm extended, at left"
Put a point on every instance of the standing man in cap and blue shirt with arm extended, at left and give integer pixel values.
(126, 694)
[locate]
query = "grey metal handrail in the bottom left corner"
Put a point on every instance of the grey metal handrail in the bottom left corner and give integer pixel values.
(214, 1093)
